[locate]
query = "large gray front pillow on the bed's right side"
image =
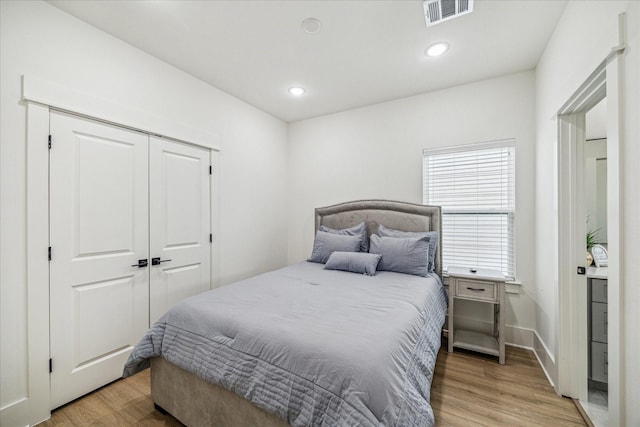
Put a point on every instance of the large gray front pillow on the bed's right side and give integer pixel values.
(407, 255)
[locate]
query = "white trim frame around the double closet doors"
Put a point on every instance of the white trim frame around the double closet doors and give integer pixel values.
(40, 97)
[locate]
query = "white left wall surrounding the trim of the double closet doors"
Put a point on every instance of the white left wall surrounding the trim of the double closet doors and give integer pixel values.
(41, 41)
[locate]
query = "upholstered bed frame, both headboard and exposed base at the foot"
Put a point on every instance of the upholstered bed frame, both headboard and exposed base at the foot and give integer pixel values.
(196, 402)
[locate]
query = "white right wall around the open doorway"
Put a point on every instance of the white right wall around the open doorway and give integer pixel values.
(584, 36)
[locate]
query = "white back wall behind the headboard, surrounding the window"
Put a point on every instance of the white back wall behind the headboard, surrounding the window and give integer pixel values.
(376, 152)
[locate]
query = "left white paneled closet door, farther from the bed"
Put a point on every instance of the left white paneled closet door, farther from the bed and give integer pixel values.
(98, 232)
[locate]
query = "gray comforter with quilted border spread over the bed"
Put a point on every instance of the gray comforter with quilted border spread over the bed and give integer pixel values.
(315, 347)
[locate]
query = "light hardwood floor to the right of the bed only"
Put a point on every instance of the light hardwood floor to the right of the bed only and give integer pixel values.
(470, 389)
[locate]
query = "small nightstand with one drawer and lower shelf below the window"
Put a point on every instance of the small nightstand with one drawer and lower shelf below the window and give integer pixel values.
(486, 286)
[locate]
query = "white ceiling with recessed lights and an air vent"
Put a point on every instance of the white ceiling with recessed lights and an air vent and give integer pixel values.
(366, 52)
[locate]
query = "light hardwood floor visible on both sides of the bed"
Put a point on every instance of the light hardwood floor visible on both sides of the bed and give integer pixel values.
(468, 389)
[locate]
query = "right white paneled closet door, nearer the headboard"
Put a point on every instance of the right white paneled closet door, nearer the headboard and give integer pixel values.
(179, 221)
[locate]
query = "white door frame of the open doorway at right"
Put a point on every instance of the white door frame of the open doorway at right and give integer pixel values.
(572, 288)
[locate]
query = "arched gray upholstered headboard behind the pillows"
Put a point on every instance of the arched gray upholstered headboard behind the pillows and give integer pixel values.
(397, 215)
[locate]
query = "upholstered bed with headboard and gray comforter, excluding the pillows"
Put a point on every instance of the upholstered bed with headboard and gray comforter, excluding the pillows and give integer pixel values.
(304, 345)
